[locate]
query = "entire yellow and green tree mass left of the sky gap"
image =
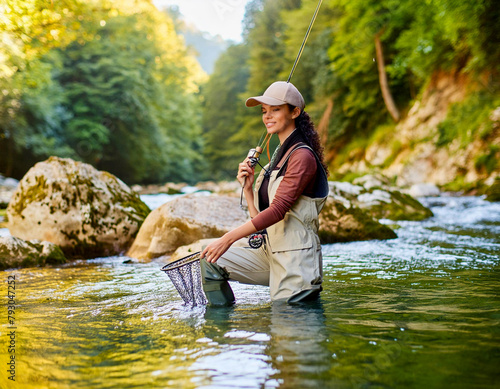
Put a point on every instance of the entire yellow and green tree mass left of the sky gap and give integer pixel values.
(115, 87)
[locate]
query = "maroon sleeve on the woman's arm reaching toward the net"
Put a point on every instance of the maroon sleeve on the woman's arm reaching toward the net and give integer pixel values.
(299, 179)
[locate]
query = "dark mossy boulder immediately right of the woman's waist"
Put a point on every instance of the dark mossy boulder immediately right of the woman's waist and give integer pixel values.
(339, 223)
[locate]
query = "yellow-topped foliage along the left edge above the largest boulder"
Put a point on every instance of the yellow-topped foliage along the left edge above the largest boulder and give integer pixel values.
(30, 121)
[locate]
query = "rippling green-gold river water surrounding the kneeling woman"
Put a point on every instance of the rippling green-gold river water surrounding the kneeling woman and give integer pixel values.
(419, 311)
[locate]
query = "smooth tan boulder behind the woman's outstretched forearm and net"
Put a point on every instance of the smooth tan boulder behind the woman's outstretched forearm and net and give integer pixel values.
(185, 220)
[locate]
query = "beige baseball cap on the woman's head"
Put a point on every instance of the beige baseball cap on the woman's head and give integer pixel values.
(279, 93)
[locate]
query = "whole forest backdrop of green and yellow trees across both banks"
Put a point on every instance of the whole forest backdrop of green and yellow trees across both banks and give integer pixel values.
(112, 83)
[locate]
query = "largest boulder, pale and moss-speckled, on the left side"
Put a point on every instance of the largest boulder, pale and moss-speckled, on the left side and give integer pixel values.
(88, 213)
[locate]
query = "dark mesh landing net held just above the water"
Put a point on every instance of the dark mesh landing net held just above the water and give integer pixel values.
(185, 274)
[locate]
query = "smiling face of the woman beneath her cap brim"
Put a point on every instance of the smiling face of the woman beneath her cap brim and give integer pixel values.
(278, 119)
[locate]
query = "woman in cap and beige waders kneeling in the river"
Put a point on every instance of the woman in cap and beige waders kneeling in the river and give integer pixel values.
(286, 200)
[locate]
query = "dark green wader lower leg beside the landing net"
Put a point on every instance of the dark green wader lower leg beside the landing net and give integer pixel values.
(214, 281)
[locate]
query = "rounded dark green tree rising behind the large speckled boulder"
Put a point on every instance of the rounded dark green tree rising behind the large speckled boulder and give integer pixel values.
(121, 107)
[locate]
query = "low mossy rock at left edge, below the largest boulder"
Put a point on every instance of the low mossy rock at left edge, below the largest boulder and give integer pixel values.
(15, 252)
